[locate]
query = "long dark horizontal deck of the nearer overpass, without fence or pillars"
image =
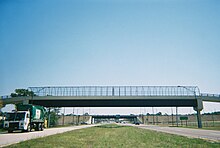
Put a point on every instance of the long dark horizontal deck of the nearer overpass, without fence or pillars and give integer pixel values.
(107, 101)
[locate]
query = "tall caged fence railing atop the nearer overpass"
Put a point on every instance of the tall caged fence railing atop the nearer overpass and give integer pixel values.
(117, 91)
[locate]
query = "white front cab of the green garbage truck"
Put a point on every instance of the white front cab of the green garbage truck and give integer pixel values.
(19, 120)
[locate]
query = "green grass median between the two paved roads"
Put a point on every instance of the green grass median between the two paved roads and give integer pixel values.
(108, 136)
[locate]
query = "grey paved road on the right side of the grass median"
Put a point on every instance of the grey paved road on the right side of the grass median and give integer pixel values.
(212, 135)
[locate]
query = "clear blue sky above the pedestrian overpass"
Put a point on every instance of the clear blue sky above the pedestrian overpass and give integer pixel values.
(94, 42)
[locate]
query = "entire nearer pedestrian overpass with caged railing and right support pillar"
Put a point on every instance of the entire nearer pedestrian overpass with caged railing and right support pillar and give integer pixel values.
(117, 96)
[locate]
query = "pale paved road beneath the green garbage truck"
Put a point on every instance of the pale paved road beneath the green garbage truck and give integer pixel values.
(11, 138)
